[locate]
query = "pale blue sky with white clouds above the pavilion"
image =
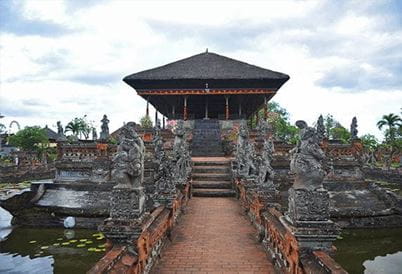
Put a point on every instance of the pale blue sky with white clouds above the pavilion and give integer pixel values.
(66, 59)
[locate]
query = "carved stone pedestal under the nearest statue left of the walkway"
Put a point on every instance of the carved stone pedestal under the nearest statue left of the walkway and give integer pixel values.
(126, 214)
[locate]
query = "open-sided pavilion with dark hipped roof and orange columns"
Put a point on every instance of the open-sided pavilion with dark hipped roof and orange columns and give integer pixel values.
(207, 85)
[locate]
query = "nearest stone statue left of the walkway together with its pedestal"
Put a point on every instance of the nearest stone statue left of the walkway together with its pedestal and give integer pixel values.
(123, 227)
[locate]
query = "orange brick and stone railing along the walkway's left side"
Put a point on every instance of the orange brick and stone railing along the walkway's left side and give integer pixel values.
(154, 232)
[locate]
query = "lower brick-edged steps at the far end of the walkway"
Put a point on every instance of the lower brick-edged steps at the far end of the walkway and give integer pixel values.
(211, 177)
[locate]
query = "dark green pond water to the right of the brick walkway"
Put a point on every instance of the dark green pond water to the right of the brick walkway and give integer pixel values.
(370, 250)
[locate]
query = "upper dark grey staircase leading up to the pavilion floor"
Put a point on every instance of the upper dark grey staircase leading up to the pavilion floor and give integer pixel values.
(207, 139)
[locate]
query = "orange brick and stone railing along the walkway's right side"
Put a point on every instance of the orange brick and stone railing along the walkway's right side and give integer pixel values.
(279, 238)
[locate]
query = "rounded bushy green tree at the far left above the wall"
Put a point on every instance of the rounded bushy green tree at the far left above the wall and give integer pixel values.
(30, 139)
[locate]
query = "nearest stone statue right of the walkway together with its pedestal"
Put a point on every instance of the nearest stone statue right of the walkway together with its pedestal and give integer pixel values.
(308, 212)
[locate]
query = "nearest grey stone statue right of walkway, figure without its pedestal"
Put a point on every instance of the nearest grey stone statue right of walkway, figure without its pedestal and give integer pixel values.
(307, 159)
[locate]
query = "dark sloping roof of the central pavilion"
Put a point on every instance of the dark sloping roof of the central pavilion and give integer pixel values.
(216, 70)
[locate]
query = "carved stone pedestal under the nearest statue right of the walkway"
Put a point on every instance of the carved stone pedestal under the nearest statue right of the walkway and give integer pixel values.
(308, 219)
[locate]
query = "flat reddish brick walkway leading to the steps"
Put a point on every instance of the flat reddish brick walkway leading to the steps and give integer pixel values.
(214, 236)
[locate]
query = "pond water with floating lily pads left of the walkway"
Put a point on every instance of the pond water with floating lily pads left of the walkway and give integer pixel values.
(44, 250)
